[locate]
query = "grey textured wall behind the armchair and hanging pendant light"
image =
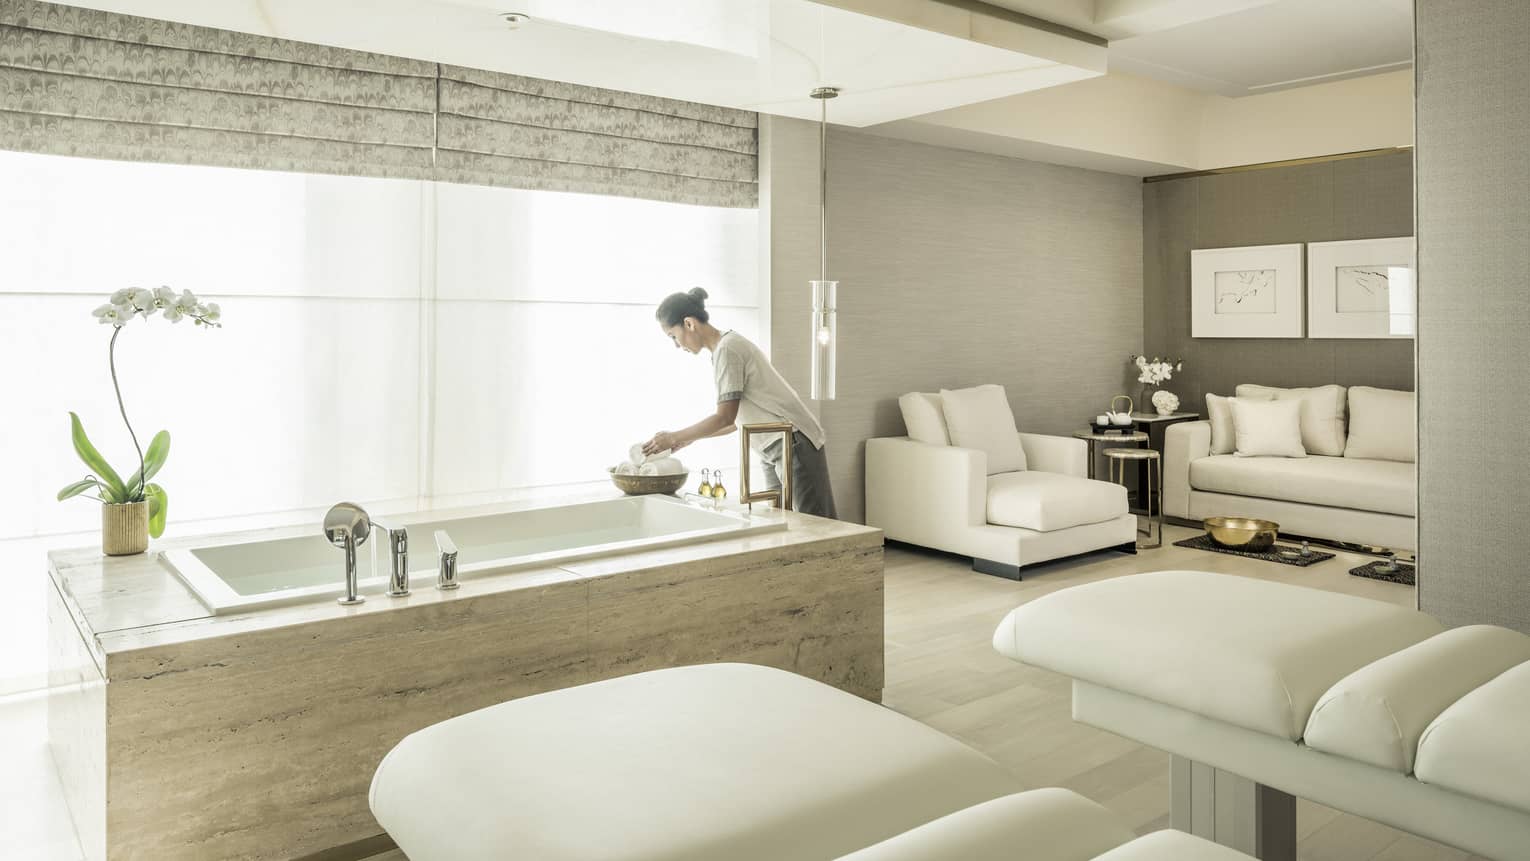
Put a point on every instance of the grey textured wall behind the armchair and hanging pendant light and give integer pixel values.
(955, 270)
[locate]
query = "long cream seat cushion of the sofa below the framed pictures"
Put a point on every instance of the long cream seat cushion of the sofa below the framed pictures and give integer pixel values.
(1340, 482)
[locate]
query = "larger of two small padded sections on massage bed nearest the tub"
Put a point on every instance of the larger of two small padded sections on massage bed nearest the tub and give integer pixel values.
(1053, 825)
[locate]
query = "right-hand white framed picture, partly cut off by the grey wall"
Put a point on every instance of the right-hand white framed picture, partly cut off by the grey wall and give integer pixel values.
(1361, 288)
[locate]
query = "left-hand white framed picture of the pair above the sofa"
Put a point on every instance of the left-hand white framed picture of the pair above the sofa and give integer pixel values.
(1248, 293)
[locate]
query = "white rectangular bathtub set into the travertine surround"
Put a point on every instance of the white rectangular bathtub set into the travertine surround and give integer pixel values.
(249, 576)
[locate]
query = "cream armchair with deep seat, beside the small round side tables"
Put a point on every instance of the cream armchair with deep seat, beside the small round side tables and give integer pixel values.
(943, 496)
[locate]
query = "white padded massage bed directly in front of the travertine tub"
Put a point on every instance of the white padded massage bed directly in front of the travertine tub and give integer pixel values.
(729, 762)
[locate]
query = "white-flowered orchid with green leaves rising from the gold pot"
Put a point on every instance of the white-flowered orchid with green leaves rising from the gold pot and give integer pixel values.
(106, 482)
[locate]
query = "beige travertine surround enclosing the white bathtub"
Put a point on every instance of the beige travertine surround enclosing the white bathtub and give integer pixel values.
(256, 735)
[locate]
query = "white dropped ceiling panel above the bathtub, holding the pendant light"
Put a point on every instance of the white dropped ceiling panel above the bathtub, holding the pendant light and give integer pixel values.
(752, 54)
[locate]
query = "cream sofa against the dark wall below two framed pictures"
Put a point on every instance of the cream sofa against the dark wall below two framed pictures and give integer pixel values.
(1361, 501)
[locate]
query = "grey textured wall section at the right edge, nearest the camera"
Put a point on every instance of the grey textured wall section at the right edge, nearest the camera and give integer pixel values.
(1474, 265)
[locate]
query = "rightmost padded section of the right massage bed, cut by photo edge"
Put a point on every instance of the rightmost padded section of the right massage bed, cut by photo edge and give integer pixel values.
(1480, 747)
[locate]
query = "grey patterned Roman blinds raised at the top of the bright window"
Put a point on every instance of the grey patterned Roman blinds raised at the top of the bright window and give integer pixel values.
(88, 83)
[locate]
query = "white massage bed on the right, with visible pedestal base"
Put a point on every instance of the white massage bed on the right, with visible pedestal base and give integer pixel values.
(1355, 704)
